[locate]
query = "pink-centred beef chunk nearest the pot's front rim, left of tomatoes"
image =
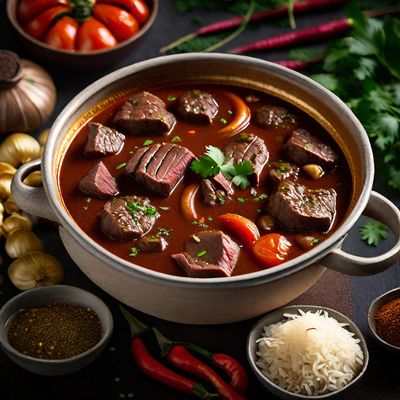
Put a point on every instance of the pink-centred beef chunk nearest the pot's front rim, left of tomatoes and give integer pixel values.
(208, 254)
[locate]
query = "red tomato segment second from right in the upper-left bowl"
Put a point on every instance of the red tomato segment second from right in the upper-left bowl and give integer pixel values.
(122, 24)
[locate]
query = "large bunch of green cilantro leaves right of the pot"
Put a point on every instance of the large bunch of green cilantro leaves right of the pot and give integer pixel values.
(364, 70)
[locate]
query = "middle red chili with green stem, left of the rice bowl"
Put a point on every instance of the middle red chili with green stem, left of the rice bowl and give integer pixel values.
(179, 356)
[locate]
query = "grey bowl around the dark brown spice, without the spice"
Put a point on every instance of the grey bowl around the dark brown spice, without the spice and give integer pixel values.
(48, 295)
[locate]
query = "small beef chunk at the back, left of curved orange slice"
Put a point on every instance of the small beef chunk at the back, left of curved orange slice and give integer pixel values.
(197, 106)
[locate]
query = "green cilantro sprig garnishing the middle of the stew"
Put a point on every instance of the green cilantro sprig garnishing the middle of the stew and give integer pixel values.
(214, 161)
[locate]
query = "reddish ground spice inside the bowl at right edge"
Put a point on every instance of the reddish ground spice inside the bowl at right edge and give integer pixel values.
(387, 322)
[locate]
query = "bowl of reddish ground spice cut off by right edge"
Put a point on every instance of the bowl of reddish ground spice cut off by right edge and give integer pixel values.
(384, 319)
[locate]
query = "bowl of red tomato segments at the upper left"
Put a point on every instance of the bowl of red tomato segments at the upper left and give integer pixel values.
(81, 33)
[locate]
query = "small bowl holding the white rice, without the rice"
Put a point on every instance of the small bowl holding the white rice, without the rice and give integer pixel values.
(276, 316)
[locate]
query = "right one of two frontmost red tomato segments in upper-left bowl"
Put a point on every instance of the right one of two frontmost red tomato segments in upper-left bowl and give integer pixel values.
(93, 35)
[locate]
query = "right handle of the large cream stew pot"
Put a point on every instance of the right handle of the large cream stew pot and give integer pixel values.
(381, 209)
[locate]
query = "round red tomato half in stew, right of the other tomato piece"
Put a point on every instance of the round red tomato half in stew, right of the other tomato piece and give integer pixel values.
(271, 249)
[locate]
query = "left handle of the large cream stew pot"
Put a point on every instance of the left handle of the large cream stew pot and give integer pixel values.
(32, 200)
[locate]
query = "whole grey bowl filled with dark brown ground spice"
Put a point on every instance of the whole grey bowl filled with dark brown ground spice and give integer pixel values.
(55, 330)
